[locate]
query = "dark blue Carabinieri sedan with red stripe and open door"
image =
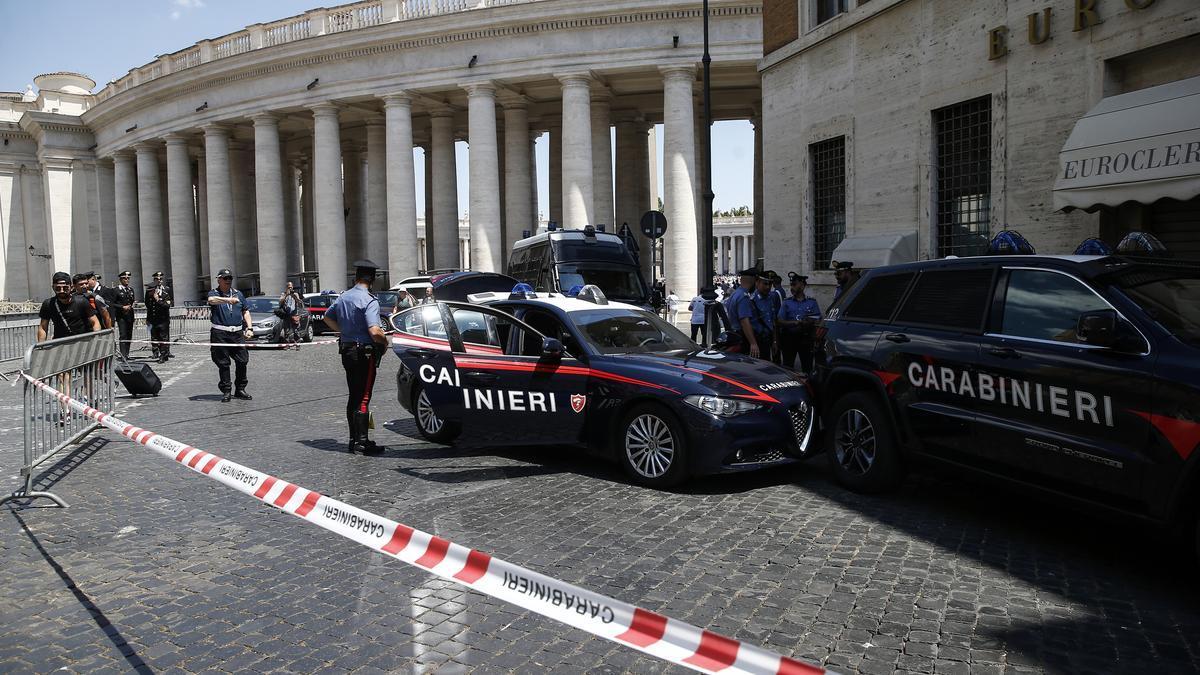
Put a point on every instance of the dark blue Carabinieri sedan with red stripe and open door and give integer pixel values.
(521, 368)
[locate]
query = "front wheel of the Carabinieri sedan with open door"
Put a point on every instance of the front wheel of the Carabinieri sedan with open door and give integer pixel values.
(652, 447)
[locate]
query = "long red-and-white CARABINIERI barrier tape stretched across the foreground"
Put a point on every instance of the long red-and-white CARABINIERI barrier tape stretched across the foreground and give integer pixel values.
(621, 623)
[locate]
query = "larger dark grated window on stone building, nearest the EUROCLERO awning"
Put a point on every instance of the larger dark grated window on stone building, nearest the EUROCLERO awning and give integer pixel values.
(963, 134)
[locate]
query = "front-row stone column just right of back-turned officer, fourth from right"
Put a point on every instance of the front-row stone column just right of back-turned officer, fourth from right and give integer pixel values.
(401, 186)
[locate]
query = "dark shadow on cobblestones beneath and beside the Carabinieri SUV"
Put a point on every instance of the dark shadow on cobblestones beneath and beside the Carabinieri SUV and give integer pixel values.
(1139, 590)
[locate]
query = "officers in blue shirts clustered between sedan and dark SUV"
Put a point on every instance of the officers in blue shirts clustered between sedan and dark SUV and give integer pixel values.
(776, 325)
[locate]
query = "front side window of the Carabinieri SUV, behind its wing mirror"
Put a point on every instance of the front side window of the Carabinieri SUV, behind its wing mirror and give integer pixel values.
(1046, 306)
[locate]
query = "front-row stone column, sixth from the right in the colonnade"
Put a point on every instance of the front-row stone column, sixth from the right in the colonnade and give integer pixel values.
(273, 273)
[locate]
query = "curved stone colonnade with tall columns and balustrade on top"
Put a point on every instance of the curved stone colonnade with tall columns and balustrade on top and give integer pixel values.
(286, 151)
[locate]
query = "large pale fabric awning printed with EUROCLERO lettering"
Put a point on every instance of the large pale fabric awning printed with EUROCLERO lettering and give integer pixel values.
(1138, 147)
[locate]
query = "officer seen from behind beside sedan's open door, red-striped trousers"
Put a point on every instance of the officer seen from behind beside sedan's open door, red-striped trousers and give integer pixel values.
(356, 315)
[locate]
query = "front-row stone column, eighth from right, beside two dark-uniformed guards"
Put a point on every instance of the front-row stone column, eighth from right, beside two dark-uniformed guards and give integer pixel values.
(182, 210)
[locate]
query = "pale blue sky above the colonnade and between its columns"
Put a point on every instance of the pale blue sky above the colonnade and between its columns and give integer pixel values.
(105, 40)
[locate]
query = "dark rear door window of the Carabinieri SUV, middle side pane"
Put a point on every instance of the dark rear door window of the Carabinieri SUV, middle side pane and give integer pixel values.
(950, 300)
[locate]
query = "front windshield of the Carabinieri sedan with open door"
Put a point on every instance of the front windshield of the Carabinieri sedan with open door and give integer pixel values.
(629, 332)
